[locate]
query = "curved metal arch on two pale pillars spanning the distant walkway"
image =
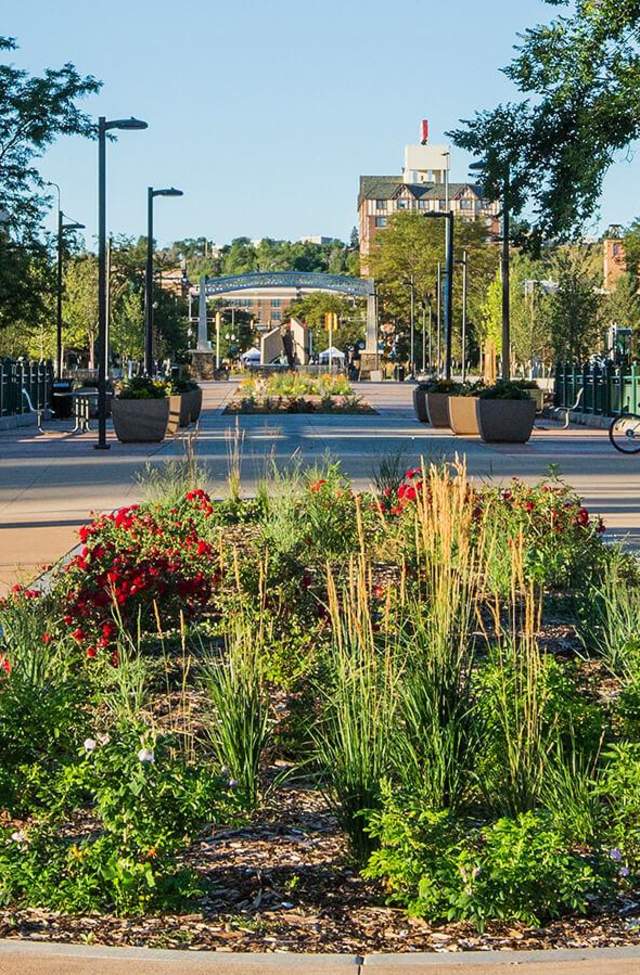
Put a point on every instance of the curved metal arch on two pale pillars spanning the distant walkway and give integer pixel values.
(302, 280)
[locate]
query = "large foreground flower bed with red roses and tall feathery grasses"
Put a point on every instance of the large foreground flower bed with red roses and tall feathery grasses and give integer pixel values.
(448, 674)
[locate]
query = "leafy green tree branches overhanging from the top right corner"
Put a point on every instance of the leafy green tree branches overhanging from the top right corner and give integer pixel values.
(581, 78)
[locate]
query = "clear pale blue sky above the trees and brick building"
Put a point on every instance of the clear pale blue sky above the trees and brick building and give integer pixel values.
(266, 112)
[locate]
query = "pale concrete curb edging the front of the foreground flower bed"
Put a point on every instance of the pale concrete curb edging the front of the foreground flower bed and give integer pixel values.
(28, 958)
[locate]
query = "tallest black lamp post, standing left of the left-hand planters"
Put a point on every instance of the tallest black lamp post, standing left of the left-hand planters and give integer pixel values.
(105, 125)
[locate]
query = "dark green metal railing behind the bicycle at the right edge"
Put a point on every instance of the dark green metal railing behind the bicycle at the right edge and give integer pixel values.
(607, 389)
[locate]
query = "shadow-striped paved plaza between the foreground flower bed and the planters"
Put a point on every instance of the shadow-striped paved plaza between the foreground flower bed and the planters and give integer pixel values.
(50, 484)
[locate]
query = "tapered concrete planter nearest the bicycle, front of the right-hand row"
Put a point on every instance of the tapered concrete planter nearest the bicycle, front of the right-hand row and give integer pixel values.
(505, 413)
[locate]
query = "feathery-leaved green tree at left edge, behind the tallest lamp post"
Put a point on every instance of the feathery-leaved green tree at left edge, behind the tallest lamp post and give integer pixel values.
(34, 111)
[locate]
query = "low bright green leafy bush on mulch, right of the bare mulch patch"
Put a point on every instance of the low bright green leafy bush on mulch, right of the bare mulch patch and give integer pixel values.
(444, 868)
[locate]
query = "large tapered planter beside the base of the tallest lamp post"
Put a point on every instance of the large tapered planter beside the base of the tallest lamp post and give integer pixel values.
(144, 412)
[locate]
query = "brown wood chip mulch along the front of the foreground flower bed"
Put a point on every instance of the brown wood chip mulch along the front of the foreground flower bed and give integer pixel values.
(285, 883)
